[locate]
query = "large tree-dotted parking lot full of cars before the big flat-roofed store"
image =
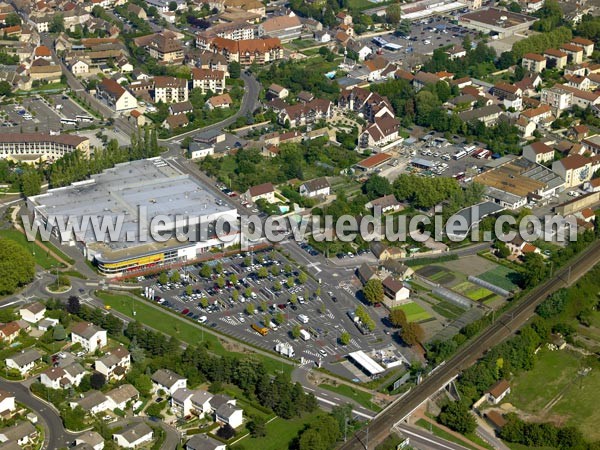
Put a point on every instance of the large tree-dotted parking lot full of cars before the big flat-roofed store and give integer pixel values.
(273, 287)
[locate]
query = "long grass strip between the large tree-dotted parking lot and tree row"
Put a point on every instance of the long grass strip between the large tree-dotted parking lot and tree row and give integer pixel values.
(181, 328)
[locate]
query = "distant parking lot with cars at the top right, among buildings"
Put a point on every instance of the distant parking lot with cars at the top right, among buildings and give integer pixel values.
(424, 38)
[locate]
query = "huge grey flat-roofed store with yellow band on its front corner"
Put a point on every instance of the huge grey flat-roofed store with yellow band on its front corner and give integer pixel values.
(135, 196)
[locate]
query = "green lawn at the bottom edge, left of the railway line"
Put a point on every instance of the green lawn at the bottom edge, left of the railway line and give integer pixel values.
(280, 433)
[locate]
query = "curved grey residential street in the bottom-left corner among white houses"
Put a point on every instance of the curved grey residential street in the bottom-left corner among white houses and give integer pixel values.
(55, 434)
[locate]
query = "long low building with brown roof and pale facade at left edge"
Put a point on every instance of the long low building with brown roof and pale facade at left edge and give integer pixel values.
(34, 147)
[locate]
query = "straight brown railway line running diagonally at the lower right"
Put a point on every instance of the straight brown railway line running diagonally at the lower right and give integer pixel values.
(503, 328)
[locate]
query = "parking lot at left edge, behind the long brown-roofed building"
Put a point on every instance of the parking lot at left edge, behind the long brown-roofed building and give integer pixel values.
(36, 114)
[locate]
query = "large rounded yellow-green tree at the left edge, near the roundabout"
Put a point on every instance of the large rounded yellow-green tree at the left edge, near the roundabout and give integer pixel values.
(17, 266)
